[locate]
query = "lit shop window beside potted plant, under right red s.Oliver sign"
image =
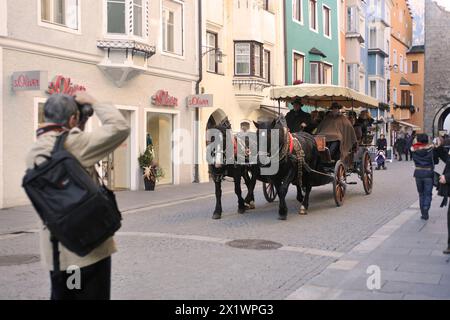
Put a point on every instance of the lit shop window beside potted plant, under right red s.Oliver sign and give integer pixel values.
(160, 130)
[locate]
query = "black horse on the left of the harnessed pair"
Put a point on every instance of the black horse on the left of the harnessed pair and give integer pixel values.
(224, 165)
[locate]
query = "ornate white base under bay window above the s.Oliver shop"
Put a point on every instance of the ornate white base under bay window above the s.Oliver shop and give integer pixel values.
(124, 59)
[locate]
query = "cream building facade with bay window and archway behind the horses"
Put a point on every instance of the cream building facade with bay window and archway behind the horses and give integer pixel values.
(243, 56)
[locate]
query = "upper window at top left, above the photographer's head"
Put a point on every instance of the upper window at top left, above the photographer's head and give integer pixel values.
(60, 12)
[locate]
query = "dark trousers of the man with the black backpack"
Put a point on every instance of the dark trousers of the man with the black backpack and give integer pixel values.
(95, 283)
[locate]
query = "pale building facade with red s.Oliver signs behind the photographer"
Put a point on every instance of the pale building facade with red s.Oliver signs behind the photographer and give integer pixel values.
(139, 55)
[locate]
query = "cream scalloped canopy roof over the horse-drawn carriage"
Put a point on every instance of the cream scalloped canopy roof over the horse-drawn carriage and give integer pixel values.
(322, 95)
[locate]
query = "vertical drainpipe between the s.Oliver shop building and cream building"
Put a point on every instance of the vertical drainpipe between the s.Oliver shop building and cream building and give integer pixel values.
(197, 91)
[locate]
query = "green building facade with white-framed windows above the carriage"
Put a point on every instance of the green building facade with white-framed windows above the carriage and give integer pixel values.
(312, 41)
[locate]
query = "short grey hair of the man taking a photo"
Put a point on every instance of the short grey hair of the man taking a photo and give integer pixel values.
(59, 108)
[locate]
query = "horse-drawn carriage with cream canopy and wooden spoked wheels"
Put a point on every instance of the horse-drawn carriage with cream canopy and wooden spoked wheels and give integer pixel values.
(335, 172)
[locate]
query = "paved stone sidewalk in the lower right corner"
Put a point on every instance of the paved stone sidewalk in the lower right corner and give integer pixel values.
(407, 255)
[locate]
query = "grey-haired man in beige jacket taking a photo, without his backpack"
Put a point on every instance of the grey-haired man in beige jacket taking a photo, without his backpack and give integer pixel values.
(64, 113)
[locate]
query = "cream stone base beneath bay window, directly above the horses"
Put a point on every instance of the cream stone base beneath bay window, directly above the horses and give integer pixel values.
(249, 91)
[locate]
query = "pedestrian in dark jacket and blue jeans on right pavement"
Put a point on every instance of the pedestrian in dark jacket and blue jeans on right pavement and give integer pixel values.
(424, 158)
